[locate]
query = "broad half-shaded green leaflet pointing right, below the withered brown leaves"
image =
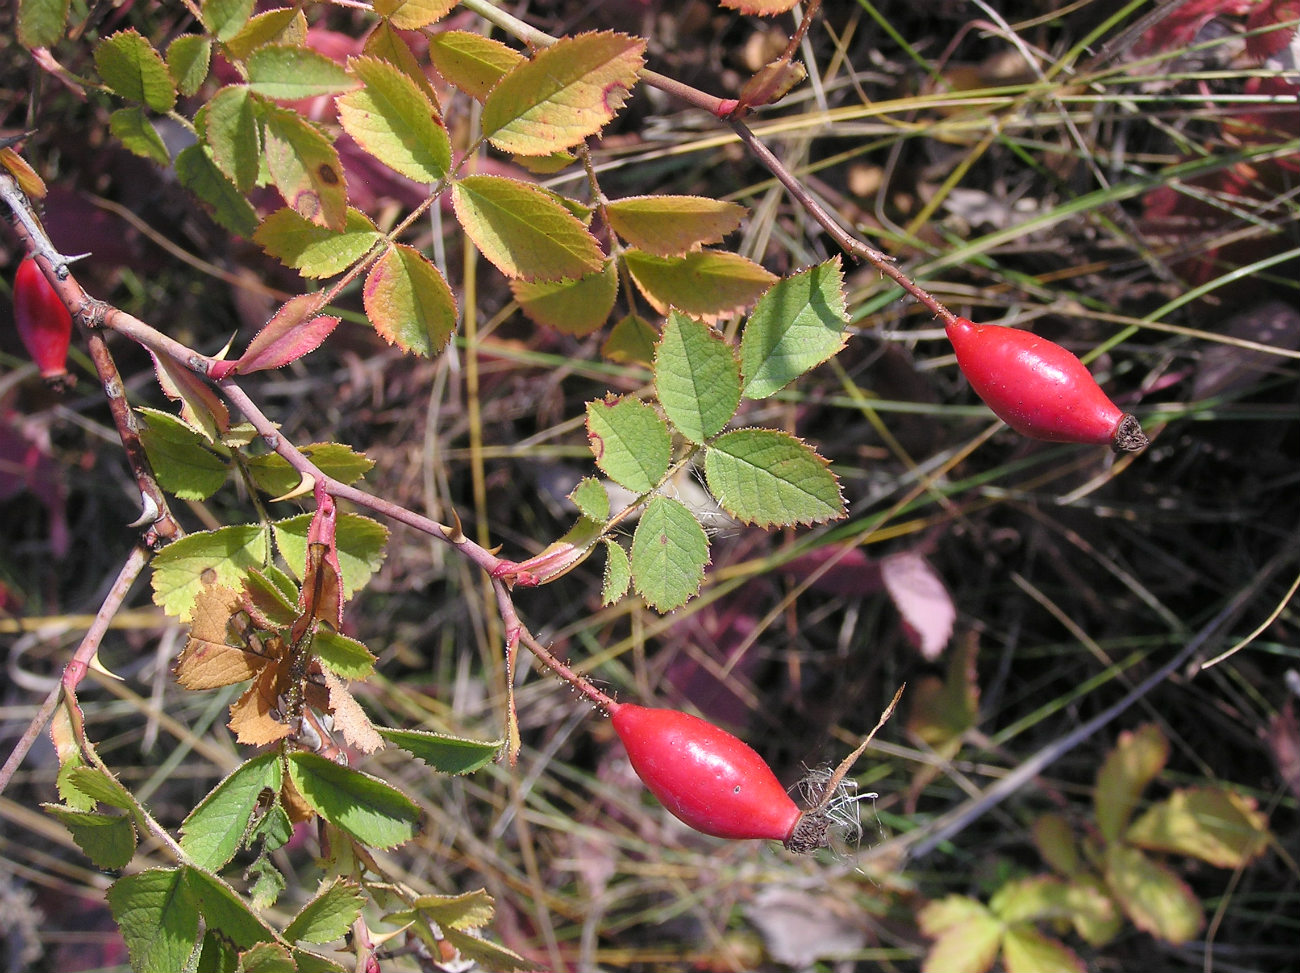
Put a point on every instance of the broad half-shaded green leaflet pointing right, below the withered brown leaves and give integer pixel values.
(367, 808)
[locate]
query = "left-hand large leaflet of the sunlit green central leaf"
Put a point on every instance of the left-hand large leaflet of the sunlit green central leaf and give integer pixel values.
(630, 440)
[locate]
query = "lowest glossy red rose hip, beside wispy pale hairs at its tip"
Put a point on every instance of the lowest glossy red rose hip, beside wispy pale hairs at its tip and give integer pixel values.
(708, 779)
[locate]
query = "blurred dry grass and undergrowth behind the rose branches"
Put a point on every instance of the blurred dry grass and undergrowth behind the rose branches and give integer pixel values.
(1125, 187)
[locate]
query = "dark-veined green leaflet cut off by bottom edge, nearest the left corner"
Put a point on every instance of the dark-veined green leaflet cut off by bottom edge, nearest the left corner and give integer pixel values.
(158, 918)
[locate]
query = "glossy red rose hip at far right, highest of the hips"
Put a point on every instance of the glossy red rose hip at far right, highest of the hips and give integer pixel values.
(1039, 388)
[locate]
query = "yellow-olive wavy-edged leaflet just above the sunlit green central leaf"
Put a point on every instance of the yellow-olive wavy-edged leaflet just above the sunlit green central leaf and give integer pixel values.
(707, 284)
